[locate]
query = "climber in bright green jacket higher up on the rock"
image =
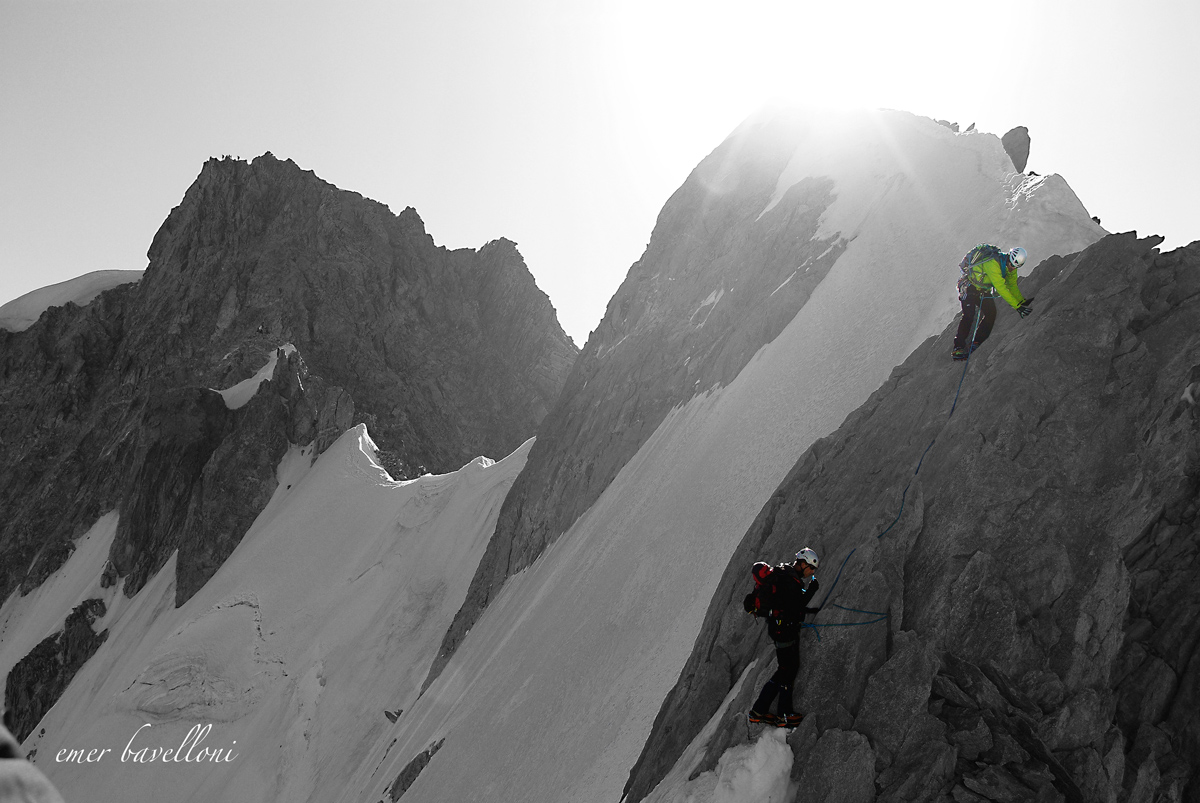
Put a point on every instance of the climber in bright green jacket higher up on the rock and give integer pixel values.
(988, 273)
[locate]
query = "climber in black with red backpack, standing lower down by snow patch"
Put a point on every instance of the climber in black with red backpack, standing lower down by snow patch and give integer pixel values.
(782, 595)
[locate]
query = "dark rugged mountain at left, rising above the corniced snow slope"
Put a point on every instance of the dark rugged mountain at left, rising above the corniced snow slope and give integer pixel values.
(446, 355)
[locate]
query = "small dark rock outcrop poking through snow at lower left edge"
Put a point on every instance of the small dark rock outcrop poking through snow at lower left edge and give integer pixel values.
(38, 681)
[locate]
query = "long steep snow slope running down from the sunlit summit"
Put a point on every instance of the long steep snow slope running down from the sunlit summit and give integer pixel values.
(556, 688)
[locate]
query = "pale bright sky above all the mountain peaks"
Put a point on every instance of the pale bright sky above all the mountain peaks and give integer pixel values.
(563, 125)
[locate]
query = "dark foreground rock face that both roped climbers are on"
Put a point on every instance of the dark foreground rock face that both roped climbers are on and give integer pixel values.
(1039, 574)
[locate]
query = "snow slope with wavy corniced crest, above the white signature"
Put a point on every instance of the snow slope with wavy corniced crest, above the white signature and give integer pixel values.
(328, 613)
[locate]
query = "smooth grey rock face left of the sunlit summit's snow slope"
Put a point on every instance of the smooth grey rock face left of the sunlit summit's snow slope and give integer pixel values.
(688, 316)
